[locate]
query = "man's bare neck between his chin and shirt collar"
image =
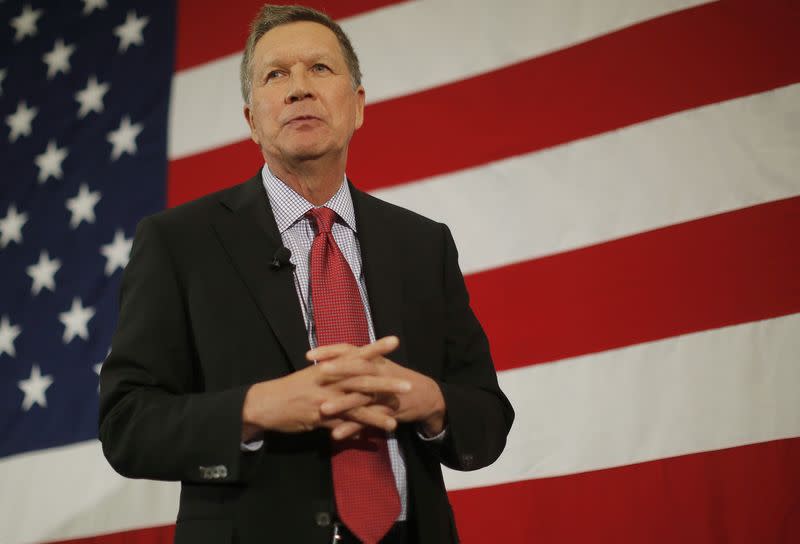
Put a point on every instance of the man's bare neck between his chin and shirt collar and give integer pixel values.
(315, 181)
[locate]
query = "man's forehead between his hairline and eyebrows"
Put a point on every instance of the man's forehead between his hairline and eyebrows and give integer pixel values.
(302, 38)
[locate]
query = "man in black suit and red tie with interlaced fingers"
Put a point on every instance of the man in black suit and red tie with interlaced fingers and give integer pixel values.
(210, 380)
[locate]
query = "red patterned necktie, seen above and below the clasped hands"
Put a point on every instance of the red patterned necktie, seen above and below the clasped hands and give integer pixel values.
(363, 482)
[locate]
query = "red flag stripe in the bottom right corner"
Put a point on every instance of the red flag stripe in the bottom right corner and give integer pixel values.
(740, 495)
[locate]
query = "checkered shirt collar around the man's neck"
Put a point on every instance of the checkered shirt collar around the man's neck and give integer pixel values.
(288, 206)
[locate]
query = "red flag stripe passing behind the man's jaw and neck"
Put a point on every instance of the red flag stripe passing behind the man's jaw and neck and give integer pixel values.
(683, 60)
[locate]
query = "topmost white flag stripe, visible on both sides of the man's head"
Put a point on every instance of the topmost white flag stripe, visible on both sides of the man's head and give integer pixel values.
(451, 40)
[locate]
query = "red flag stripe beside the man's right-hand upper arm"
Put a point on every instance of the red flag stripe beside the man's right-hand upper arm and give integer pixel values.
(721, 270)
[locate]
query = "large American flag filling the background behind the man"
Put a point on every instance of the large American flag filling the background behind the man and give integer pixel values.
(635, 261)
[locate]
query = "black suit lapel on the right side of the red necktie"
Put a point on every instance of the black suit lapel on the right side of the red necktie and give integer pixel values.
(379, 258)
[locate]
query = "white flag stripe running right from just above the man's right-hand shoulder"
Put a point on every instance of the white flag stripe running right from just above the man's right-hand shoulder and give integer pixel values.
(685, 166)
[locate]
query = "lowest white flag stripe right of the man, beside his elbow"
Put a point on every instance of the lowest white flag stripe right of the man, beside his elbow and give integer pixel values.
(699, 392)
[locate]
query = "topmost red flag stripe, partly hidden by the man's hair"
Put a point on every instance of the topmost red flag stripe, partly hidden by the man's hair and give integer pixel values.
(209, 29)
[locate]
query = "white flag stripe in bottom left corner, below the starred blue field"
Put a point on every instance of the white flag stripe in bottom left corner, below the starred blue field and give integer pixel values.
(72, 492)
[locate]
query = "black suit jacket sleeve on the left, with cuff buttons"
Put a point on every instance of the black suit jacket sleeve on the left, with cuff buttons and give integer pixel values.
(153, 423)
